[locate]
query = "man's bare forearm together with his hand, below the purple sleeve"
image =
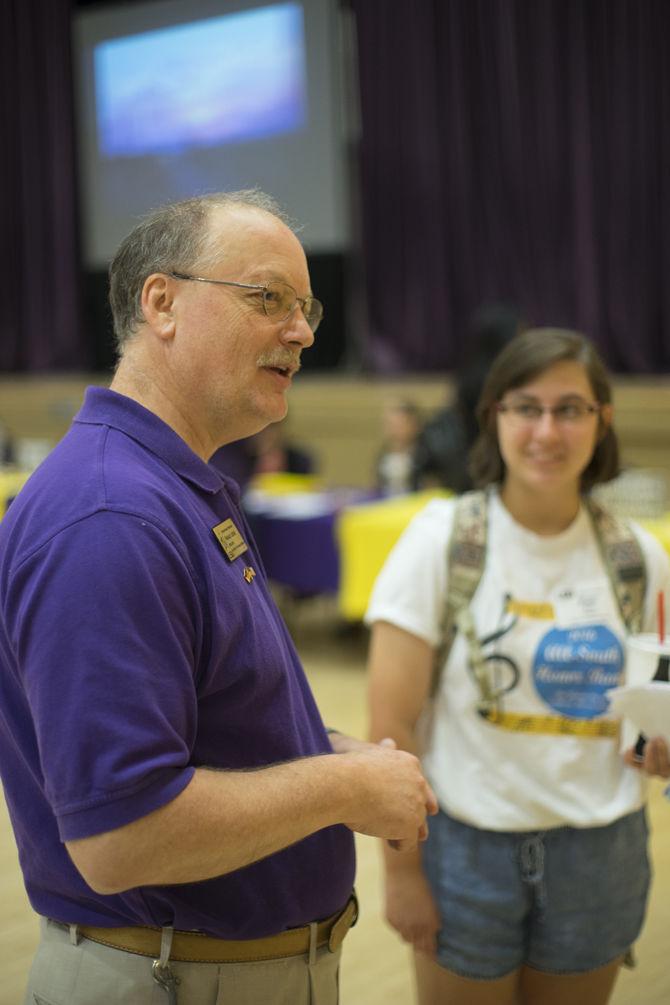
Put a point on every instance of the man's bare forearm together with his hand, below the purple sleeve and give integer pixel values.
(226, 821)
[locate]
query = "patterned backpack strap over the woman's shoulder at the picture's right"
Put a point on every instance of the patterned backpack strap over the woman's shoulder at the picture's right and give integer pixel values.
(624, 561)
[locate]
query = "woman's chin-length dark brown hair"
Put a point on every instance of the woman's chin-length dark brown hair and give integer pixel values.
(528, 356)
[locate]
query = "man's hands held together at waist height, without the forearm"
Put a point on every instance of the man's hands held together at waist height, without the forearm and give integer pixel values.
(395, 797)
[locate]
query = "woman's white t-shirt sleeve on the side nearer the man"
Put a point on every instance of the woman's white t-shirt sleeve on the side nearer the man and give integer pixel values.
(411, 589)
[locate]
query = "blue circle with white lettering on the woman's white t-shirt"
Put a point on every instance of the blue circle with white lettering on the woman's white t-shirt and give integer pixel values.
(573, 669)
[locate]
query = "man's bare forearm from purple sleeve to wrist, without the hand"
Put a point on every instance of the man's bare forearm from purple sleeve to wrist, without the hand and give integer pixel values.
(221, 822)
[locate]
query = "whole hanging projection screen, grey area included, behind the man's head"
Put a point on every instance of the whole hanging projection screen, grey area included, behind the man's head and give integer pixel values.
(179, 98)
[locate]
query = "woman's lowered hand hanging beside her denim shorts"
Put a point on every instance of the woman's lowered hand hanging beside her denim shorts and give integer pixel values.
(411, 910)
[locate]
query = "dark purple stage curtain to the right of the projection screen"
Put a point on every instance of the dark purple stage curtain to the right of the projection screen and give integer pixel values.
(519, 152)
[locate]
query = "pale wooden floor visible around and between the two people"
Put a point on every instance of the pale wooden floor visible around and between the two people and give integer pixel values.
(377, 967)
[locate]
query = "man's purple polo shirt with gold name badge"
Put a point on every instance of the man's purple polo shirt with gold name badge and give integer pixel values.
(132, 652)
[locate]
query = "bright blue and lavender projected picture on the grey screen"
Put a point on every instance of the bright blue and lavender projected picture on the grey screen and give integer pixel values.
(225, 80)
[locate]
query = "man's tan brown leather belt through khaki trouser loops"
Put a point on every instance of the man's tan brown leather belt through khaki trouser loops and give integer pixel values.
(194, 947)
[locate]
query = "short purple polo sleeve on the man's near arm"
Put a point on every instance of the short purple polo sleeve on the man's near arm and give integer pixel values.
(107, 628)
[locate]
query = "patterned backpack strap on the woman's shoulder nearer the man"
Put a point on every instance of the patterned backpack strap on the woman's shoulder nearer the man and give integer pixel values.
(467, 555)
